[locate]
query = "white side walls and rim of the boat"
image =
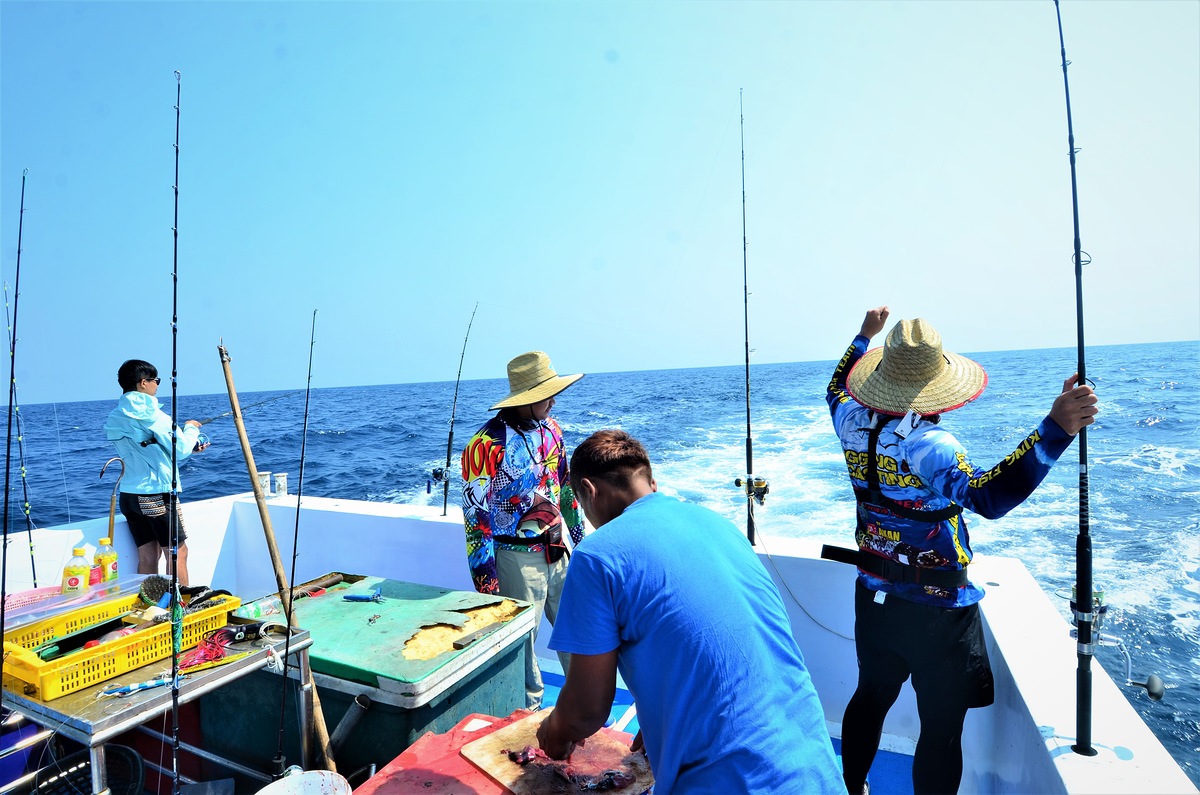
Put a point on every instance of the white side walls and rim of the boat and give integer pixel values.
(1021, 745)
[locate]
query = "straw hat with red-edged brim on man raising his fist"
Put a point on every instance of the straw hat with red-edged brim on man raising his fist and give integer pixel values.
(913, 373)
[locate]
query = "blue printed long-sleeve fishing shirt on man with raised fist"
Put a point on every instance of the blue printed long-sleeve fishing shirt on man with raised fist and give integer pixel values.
(929, 470)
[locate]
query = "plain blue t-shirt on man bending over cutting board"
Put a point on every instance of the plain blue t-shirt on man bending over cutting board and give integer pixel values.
(705, 645)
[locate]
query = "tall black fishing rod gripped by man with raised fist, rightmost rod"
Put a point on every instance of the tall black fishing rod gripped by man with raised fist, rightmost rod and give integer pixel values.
(1083, 605)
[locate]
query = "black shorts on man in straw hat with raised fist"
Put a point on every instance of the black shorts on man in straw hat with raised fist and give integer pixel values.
(943, 649)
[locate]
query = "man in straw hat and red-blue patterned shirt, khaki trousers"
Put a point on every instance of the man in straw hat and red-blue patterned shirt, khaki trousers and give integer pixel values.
(517, 500)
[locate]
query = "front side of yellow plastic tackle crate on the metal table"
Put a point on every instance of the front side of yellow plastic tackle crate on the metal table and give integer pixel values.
(26, 673)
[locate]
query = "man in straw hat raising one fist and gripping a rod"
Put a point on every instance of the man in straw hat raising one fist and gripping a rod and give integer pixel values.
(916, 611)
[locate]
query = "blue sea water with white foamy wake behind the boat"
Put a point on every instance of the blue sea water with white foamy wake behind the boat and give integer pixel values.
(382, 444)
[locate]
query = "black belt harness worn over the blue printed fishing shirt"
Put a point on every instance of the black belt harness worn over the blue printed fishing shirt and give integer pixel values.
(887, 567)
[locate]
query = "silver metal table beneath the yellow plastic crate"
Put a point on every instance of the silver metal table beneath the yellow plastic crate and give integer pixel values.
(93, 722)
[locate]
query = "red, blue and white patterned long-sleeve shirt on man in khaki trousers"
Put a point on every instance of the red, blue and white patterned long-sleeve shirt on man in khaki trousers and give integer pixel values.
(515, 486)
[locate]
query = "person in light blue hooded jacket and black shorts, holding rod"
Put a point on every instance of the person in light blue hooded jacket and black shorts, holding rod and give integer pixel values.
(142, 434)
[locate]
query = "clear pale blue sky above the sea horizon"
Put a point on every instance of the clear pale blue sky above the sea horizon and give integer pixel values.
(575, 169)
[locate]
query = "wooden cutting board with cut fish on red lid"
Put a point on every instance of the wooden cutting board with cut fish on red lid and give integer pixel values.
(487, 754)
